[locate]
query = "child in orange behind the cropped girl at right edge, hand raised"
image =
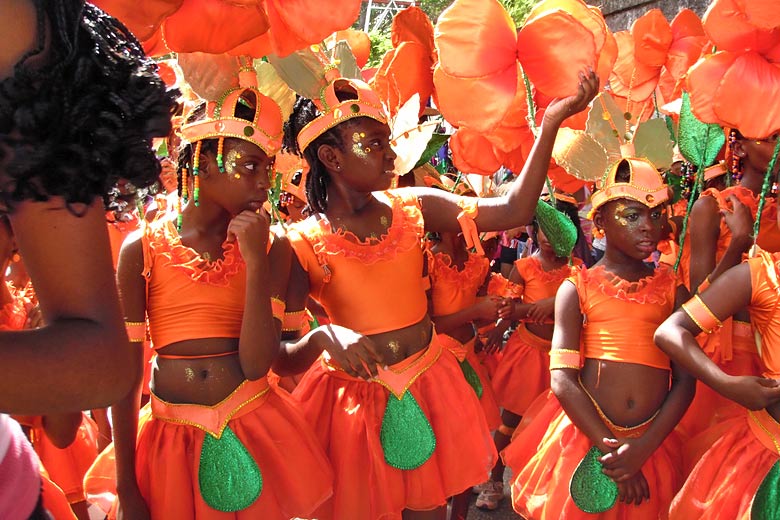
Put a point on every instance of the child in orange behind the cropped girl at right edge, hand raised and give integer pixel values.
(714, 248)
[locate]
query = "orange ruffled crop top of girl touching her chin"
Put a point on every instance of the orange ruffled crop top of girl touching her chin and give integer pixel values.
(189, 297)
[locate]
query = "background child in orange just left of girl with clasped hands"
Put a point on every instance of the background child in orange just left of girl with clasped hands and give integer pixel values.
(523, 373)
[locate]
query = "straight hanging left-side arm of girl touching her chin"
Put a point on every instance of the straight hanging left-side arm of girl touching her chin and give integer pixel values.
(132, 287)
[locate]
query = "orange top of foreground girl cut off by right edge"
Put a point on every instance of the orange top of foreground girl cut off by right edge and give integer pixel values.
(764, 308)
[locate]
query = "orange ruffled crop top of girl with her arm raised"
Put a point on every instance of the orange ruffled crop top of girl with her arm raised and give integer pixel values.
(371, 286)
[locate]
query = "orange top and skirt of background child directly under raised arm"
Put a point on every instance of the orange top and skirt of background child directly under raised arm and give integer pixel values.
(453, 290)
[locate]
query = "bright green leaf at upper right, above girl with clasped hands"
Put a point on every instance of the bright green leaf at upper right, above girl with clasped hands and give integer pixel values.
(699, 142)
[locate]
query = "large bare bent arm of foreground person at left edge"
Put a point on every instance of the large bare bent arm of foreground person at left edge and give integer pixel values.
(82, 351)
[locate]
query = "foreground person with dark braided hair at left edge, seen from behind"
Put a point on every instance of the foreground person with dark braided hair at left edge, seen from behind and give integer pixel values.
(79, 104)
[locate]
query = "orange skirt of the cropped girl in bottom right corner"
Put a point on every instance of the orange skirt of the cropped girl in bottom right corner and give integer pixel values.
(724, 481)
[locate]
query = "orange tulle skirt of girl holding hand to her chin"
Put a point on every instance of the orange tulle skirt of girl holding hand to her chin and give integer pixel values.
(296, 474)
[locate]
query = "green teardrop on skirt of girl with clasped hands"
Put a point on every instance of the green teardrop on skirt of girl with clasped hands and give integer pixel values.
(590, 489)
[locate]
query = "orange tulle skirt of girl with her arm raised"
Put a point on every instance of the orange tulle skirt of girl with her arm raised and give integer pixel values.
(347, 414)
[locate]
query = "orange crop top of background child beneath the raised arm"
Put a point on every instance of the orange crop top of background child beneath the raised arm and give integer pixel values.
(453, 290)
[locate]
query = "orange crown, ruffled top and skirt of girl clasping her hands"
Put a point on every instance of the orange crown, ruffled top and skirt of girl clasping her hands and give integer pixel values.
(549, 454)
